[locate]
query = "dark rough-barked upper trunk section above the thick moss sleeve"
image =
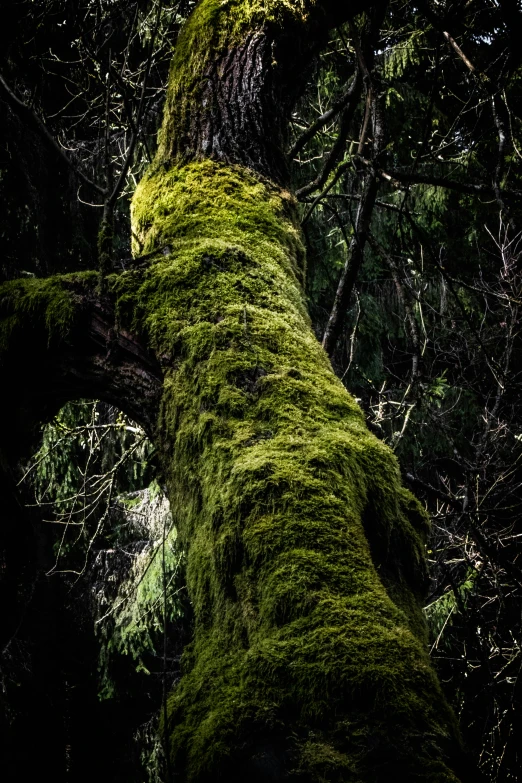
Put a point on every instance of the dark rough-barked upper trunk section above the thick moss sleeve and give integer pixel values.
(236, 73)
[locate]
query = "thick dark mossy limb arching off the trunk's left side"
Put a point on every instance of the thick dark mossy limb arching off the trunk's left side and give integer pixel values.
(60, 340)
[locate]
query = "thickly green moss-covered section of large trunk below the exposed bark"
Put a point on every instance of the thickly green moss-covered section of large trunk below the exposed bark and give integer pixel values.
(305, 555)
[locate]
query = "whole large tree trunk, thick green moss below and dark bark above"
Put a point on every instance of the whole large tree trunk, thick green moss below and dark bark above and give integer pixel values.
(305, 555)
